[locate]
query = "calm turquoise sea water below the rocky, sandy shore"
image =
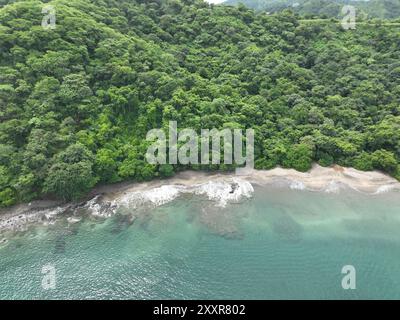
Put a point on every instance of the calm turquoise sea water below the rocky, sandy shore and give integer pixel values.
(281, 244)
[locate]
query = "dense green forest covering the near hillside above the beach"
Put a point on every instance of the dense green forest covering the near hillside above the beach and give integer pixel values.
(77, 101)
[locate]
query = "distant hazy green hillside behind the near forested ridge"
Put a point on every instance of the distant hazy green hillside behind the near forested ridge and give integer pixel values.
(384, 9)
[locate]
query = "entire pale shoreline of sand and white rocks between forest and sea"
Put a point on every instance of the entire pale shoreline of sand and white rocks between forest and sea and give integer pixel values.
(216, 186)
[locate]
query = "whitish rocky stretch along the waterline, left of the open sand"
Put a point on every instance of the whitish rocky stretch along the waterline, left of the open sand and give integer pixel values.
(221, 192)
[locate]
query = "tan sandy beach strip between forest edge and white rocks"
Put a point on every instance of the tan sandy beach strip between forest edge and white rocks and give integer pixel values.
(317, 179)
